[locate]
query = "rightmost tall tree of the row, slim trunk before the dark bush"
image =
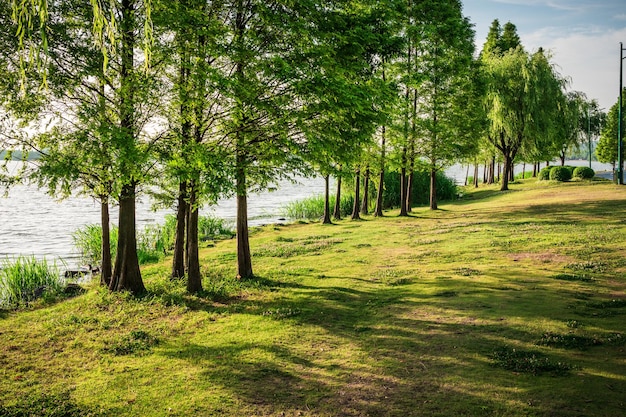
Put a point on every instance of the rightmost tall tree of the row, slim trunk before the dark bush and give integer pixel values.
(447, 97)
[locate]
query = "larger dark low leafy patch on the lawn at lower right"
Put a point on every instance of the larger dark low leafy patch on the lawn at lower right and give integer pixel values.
(528, 362)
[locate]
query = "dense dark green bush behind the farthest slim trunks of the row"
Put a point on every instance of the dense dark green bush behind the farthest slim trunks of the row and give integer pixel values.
(420, 189)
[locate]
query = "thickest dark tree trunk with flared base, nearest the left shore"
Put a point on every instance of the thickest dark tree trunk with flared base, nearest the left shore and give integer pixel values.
(127, 275)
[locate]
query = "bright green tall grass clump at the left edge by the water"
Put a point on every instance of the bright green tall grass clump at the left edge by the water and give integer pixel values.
(25, 279)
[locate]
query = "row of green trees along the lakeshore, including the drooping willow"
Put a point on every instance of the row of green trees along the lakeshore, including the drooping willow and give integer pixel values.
(193, 100)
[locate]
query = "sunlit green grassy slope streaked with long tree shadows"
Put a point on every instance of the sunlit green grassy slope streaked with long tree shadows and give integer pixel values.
(381, 317)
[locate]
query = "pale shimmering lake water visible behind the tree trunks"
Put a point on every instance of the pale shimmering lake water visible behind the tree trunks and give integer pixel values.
(32, 223)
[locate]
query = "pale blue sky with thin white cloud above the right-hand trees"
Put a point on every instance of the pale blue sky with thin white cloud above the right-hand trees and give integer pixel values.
(583, 35)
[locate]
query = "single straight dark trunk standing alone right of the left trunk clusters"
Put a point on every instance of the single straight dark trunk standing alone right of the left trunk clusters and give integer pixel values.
(244, 257)
